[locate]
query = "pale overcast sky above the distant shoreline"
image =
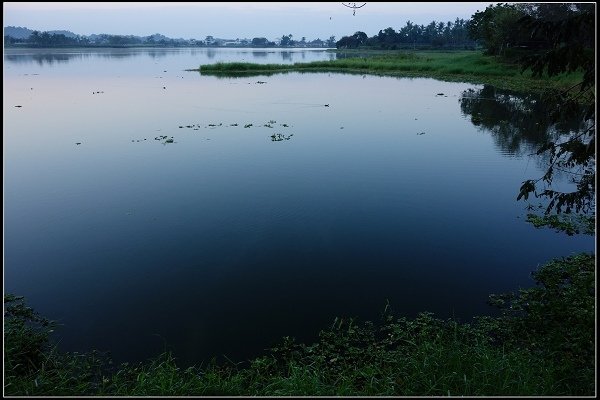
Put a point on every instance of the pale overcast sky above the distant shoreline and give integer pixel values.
(230, 20)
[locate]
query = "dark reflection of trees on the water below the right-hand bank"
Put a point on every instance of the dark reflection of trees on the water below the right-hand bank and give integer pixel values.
(518, 123)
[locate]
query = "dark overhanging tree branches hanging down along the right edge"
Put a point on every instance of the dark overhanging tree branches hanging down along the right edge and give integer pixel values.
(570, 47)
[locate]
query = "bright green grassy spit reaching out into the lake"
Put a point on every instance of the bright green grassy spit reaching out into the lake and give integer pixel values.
(462, 66)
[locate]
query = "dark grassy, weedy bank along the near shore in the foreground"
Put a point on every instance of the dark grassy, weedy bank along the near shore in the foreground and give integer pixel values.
(541, 344)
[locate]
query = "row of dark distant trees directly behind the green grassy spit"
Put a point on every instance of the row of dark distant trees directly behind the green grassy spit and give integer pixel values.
(434, 35)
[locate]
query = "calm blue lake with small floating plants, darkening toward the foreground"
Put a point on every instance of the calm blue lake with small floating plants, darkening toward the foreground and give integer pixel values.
(148, 208)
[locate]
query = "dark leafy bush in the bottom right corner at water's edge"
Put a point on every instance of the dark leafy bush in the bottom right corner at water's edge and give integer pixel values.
(555, 319)
